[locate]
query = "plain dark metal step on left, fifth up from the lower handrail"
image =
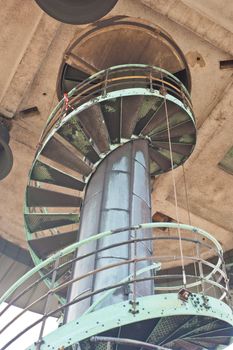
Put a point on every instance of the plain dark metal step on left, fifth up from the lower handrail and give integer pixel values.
(58, 152)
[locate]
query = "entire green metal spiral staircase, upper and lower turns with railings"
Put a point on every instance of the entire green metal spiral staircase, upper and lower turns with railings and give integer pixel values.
(112, 111)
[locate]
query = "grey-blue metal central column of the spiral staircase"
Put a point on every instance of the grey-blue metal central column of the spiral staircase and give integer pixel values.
(118, 195)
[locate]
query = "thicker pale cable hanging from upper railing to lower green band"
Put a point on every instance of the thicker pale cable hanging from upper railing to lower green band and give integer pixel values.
(174, 182)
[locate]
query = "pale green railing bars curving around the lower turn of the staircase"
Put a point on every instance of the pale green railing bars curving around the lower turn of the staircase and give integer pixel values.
(215, 278)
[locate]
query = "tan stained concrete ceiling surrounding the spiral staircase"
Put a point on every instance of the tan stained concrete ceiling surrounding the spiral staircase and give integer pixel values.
(32, 46)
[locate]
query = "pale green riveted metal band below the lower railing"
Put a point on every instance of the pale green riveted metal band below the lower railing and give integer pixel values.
(116, 315)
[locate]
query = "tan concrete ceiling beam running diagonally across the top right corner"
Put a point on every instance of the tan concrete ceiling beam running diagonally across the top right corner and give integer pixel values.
(194, 21)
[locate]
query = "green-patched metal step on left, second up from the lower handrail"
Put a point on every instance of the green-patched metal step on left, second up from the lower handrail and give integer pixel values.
(40, 222)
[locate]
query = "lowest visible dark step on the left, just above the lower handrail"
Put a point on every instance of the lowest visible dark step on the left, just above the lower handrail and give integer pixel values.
(45, 246)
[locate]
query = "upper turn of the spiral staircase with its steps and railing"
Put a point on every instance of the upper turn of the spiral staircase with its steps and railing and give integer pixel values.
(114, 107)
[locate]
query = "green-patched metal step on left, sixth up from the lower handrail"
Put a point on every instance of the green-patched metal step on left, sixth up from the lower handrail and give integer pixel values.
(73, 133)
